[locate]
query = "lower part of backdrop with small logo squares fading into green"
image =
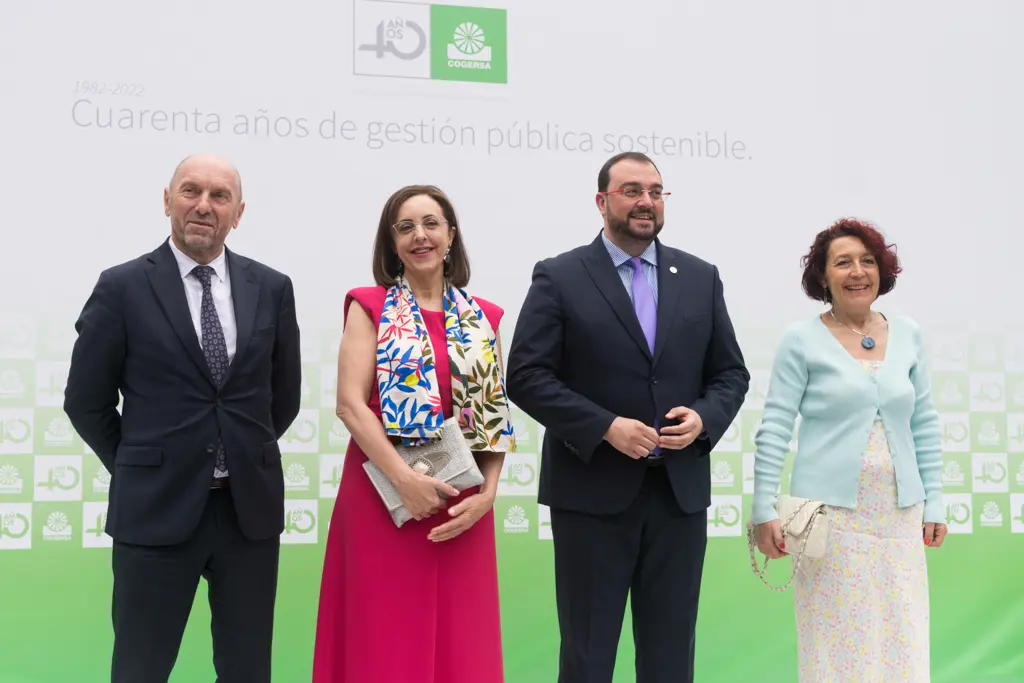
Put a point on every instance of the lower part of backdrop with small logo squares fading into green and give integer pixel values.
(55, 559)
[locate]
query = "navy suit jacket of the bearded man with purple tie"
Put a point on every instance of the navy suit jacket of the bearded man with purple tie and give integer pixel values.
(579, 359)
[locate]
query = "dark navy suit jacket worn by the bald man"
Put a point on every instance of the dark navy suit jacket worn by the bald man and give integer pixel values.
(137, 339)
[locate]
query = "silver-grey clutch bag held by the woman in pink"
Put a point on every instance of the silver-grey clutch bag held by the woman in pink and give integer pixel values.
(448, 459)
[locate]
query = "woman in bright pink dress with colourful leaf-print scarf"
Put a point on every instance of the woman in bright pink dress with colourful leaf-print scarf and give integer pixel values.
(416, 604)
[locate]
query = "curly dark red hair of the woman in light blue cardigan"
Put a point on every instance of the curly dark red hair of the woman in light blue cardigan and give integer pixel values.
(874, 241)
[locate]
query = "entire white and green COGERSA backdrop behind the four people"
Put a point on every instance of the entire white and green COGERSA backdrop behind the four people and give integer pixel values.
(769, 121)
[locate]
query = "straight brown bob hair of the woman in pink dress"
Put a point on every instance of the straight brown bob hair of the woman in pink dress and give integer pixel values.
(387, 263)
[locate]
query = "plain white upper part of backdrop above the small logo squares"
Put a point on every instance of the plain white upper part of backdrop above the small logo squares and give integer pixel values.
(904, 114)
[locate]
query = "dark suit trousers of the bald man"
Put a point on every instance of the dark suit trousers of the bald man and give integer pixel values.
(155, 589)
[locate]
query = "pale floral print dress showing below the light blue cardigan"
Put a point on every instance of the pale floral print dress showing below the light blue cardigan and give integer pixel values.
(863, 611)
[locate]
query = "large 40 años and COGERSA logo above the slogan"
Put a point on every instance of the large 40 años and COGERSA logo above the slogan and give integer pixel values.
(441, 42)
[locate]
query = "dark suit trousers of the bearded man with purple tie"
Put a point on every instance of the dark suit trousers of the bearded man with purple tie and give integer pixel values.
(652, 552)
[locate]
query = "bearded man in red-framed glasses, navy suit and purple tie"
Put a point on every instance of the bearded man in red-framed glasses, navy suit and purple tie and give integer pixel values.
(625, 352)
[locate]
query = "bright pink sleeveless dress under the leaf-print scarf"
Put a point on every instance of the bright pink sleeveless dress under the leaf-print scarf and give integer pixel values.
(395, 607)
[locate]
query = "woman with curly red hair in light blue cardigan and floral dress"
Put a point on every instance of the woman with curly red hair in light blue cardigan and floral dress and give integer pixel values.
(870, 448)
